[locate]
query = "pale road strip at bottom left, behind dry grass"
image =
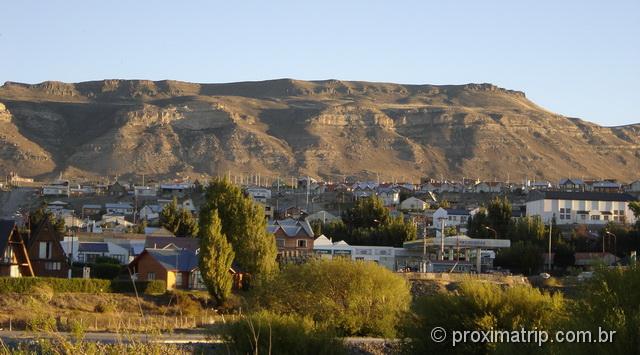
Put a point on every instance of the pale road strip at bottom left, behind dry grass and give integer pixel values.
(11, 337)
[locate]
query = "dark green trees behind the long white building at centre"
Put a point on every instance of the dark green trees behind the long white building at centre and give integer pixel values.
(368, 222)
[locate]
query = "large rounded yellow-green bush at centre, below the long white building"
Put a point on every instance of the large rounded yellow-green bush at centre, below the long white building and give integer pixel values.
(357, 298)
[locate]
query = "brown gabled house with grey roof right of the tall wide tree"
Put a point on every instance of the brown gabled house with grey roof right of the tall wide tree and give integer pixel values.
(293, 237)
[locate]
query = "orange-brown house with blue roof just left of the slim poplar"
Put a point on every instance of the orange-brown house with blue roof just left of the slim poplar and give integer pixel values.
(178, 268)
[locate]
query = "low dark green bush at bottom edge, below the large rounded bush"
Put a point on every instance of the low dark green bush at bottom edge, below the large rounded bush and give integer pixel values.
(268, 333)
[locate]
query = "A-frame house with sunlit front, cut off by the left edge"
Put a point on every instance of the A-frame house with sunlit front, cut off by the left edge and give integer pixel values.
(14, 258)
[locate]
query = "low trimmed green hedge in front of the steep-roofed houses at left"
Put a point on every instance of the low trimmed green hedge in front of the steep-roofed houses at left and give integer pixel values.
(26, 284)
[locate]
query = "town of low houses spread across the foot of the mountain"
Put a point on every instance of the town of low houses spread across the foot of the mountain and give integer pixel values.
(121, 220)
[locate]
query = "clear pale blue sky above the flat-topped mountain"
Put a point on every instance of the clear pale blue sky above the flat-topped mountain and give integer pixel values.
(577, 58)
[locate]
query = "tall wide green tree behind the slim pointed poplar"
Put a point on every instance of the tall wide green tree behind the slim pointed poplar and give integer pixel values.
(243, 223)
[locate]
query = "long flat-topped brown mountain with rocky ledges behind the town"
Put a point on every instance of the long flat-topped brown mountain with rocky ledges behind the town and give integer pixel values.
(321, 128)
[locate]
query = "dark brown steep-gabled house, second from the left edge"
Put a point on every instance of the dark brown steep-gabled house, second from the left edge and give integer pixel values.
(48, 259)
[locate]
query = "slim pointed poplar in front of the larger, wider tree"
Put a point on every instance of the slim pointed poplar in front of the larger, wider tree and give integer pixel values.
(215, 258)
